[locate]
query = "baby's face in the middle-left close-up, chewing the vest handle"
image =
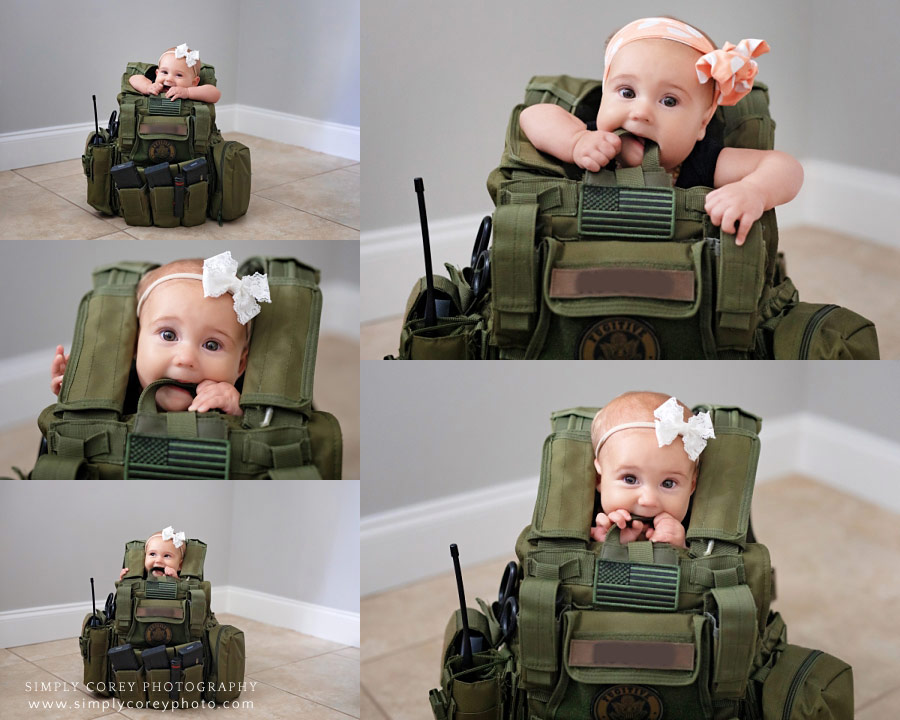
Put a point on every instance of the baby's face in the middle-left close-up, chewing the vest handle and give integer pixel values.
(187, 337)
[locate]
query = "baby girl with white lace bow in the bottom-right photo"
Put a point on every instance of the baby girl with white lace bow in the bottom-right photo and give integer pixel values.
(646, 478)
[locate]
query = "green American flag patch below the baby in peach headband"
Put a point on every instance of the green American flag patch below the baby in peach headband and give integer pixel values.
(645, 213)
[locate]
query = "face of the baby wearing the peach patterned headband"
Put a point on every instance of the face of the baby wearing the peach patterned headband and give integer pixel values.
(652, 91)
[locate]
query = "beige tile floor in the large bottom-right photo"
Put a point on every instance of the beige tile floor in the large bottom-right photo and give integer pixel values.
(837, 584)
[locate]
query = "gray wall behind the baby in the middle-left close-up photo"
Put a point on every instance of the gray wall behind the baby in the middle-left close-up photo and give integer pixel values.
(46, 280)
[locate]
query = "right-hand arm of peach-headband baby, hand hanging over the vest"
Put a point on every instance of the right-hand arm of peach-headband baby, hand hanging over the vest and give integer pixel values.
(750, 182)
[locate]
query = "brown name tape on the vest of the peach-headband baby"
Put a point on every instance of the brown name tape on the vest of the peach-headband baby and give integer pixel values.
(570, 283)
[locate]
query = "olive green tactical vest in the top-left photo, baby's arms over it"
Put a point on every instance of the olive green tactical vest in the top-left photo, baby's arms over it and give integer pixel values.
(153, 130)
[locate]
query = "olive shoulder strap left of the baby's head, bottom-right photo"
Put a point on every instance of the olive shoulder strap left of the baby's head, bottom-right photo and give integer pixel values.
(565, 499)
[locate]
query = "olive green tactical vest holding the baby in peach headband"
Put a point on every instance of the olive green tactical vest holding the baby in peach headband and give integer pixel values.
(622, 265)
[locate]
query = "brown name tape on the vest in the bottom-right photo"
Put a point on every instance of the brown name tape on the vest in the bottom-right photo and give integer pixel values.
(631, 654)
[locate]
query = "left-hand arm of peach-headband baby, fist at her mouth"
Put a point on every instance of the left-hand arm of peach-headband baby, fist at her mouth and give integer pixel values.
(558, 133)
